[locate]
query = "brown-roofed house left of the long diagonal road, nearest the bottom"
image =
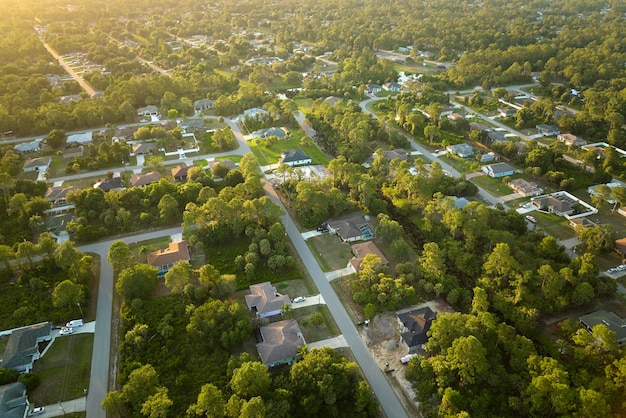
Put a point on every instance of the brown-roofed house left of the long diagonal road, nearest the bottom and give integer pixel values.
(281, 342)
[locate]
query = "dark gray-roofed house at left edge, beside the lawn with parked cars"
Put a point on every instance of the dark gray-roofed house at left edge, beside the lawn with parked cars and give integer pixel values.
(23, 346)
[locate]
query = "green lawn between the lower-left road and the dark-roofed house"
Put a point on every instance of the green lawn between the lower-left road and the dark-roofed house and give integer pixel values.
(64, 370)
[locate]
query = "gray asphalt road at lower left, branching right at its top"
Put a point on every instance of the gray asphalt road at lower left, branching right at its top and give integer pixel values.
(100, 358)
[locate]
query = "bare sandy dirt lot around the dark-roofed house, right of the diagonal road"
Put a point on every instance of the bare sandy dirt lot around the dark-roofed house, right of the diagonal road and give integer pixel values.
(382, 337)
